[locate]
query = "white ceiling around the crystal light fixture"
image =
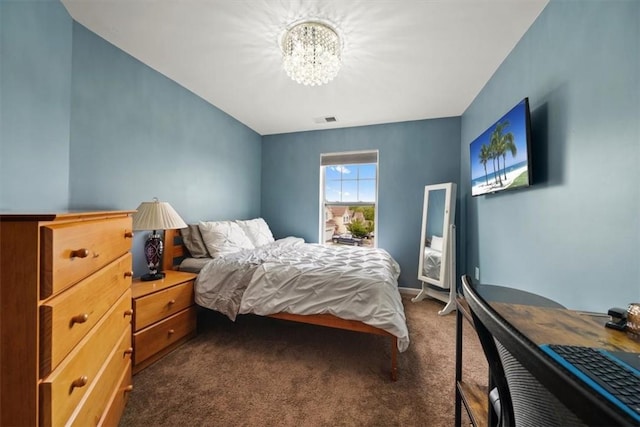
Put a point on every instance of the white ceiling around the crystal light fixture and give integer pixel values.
(402, 59)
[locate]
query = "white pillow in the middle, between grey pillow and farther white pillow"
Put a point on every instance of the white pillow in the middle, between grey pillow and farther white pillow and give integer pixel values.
(223, 237)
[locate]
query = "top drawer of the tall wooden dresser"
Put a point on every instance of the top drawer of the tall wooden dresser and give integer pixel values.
(72, 251)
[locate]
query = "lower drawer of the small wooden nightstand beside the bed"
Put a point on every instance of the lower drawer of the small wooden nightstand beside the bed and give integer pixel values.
(162, 334)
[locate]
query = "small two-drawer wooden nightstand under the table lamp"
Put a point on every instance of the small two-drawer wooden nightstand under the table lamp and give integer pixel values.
(164, 316)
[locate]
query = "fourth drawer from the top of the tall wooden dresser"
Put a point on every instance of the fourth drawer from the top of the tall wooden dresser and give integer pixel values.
(100, 397)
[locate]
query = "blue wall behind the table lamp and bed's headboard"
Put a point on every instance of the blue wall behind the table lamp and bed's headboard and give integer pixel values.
(136, 135)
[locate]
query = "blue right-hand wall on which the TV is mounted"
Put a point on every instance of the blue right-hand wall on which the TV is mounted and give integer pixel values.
(574, 236)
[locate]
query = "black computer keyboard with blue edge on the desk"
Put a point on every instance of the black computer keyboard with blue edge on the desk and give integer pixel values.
(604, 372)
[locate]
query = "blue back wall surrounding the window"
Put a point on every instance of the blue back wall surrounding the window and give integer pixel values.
(411, 155)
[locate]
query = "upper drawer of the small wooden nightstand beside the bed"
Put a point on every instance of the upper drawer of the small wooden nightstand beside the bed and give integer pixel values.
(156, 306)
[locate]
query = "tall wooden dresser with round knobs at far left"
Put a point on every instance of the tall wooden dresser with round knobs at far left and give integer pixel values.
(65, 318)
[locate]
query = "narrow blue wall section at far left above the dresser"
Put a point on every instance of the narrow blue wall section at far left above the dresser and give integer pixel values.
(35, 79)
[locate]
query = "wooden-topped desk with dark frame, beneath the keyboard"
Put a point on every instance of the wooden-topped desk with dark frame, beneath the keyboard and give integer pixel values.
(545, 323)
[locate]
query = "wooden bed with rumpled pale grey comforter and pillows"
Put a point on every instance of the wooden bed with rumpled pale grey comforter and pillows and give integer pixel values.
(334, 286)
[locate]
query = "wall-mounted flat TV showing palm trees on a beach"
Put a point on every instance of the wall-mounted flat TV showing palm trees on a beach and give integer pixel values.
(500, 157)
